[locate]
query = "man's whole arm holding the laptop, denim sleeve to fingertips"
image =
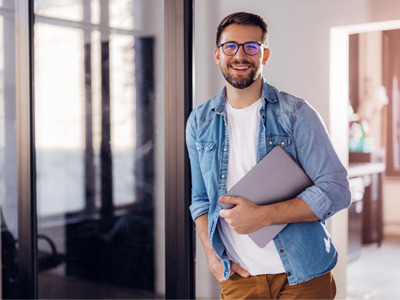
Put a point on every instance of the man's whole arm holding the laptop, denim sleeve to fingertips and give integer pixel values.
(329, 194)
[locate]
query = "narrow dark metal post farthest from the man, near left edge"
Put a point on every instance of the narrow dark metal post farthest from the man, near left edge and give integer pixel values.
(25, 150)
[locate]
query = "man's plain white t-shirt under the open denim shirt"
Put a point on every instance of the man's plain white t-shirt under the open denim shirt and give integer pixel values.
(243, 134)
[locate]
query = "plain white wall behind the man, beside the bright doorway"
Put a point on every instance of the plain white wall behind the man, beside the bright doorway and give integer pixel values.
(299, 40)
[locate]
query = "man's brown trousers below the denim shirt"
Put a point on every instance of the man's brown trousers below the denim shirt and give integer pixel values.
(276, 286)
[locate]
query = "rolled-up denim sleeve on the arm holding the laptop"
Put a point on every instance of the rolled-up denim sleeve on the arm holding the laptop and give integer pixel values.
(316, 155)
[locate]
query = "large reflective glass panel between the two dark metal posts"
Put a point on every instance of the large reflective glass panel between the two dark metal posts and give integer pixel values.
(99, 152)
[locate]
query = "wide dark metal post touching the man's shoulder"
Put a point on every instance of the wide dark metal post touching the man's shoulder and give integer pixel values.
(178, 104)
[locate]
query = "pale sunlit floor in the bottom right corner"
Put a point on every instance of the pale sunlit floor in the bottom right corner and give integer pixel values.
(376, 273)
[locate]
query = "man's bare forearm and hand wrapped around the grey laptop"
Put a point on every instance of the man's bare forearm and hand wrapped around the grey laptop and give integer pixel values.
(246, 217)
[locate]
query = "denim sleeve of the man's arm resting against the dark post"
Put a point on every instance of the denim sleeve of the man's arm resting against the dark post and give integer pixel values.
(200, 203)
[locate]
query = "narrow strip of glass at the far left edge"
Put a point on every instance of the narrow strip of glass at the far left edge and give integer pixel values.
(8, 154)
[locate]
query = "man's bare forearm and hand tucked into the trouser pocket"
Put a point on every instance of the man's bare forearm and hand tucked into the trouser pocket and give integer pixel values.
(214, 264)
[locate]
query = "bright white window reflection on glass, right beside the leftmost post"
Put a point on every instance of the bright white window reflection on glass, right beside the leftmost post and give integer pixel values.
(59, 87)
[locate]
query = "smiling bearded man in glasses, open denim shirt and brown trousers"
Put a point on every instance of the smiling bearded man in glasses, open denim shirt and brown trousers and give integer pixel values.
(226, 137)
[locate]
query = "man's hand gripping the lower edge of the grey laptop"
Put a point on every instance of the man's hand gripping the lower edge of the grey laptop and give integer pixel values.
(246, 217)
